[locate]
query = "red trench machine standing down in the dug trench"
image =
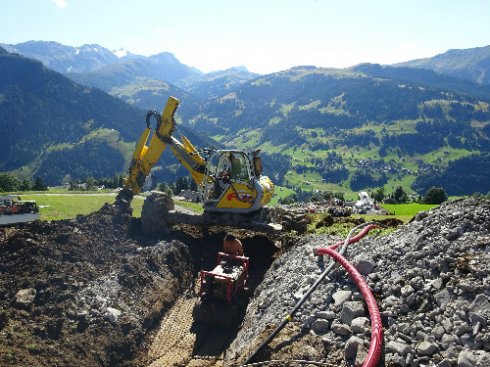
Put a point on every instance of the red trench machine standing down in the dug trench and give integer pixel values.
(219, 291)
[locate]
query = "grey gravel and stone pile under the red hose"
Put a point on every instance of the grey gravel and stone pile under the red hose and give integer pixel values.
(431, 279)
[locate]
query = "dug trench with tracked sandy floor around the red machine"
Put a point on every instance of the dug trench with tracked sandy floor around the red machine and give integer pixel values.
(178, 340)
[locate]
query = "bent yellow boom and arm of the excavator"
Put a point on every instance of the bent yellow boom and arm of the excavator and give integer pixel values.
(145, 156)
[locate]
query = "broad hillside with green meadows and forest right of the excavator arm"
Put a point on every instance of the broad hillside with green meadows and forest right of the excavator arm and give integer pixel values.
(348, 130)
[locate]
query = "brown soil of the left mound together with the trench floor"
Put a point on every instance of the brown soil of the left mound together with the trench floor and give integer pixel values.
(102, 293)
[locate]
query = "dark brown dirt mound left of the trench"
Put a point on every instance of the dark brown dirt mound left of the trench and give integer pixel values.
(84, 291)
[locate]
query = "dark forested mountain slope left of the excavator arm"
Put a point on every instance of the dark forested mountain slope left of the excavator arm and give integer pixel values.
(54, 128)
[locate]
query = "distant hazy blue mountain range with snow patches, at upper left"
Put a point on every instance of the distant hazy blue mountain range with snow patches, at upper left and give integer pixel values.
(137, 79)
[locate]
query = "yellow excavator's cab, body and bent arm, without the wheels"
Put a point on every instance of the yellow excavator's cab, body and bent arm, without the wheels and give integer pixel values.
(229, 180)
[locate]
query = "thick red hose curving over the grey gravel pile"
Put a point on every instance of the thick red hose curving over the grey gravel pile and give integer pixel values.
(376, 324)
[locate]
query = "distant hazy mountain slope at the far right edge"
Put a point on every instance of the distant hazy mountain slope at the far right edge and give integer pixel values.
(472, 64)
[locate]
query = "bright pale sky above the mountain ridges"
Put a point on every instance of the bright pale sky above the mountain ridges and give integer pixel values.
(263, 35)
